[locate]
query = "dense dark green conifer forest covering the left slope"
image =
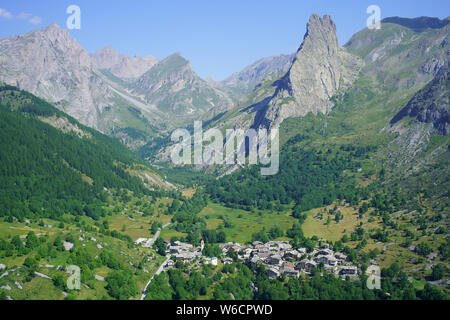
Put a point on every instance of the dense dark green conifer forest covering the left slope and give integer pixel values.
(46, 172)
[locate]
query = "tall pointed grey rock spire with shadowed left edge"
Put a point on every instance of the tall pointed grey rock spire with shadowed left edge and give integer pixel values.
(320, 68)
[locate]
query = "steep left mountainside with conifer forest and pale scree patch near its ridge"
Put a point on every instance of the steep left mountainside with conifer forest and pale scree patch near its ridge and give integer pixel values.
(57, 155)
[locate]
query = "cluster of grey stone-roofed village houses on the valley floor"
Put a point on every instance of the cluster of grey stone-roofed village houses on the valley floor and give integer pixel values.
(278, 257)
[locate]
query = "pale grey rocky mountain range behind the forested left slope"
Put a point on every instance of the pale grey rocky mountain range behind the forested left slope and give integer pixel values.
(133, 99)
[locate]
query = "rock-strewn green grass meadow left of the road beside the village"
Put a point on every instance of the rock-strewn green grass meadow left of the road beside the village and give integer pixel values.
(44, 289)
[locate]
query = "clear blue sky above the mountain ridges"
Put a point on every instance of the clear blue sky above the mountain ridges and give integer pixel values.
(218, 37)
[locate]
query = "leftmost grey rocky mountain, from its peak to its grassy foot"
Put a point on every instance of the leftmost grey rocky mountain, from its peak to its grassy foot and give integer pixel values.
(52, 65)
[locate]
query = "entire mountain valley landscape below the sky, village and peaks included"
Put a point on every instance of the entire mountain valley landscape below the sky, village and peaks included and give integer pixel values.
(86, 177)
